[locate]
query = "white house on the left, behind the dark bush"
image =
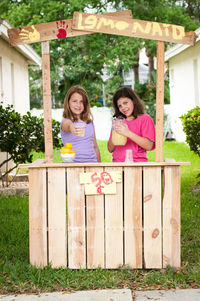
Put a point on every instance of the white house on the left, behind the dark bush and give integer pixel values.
(14, 78)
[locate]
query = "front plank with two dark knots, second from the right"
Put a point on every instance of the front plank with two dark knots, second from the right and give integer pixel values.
(152, 217)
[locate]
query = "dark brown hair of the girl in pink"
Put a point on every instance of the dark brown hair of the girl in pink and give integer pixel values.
(129, 93)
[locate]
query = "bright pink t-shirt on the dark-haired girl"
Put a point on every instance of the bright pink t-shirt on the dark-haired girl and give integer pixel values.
(142, 126)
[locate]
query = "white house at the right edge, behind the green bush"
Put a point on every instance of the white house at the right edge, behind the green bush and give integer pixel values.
(184, 77)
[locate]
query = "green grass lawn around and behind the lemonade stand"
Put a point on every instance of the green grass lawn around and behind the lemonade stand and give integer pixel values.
(18, 276)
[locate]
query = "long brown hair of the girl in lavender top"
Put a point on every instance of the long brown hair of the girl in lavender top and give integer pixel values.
(86, 115)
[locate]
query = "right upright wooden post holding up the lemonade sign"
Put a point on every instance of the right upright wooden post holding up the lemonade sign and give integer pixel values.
(160, 101)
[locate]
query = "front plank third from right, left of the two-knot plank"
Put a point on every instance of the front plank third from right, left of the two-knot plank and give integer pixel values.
(133, 216)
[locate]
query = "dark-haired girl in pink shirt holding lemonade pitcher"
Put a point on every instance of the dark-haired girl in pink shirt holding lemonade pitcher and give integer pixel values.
(137, 126)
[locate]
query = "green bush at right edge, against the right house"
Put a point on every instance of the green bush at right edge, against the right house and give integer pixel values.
(191, 127)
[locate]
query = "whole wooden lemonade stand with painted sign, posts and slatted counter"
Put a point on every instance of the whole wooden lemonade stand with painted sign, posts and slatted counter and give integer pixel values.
(115, 214)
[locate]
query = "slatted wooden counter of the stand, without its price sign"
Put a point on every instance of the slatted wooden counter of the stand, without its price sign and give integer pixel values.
(138, 227)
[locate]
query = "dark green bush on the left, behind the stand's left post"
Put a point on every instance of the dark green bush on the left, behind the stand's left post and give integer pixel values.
(21, 134)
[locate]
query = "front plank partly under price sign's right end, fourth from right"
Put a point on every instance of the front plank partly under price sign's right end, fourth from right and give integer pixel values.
(114, 226)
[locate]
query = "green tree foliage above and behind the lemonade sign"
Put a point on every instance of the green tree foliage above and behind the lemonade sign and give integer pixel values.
(80, 60)
